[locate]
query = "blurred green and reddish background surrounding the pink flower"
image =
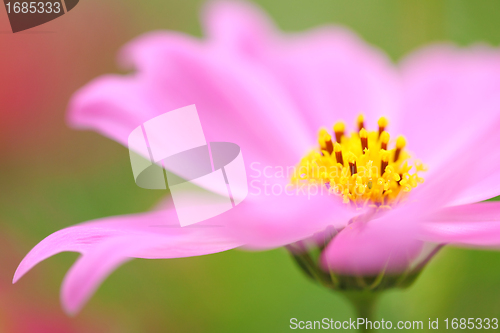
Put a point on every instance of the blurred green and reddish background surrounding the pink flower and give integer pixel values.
(52, 177)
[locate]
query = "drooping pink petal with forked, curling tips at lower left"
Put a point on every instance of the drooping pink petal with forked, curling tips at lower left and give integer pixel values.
(107, 243)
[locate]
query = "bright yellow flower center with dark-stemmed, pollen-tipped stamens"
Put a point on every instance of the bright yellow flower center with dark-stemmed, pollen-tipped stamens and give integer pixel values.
(361, 167)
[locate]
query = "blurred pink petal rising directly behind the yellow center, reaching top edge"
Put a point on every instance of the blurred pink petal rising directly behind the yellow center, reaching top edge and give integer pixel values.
(329, 72)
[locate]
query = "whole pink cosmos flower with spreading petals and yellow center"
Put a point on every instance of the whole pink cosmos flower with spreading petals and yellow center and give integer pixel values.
(270, 93)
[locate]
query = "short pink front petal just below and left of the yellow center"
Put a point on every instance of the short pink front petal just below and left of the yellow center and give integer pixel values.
(269, 221)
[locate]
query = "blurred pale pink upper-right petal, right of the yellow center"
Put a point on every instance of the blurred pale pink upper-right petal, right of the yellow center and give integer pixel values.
(448, 96)
